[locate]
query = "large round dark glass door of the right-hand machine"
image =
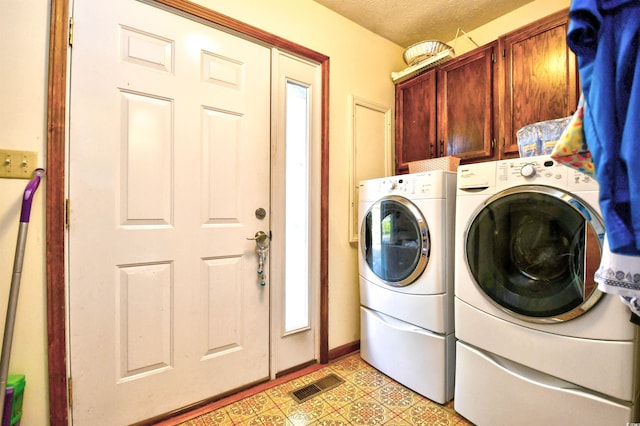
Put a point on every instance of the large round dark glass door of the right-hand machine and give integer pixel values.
(533, 251)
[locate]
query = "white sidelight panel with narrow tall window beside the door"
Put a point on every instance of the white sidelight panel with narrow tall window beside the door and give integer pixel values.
(295, 249)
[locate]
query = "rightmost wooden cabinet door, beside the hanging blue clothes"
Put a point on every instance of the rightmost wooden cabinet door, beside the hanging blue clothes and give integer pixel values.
(541, 81)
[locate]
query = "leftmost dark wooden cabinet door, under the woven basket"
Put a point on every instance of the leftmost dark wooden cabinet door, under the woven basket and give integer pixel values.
(415, 120)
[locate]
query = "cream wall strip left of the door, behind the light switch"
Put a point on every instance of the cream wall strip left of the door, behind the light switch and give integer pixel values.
(23, 91)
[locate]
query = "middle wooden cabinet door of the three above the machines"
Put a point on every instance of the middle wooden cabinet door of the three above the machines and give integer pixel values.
(466, 99)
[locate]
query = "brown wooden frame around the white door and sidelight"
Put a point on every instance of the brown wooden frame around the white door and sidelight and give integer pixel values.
(56, 190)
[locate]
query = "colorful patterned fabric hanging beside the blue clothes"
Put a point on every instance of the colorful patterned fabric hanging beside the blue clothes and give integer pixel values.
(571, 149)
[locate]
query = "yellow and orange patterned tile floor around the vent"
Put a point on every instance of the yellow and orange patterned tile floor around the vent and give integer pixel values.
(367, 397)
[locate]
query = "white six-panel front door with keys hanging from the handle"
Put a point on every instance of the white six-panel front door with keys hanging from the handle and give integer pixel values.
(168, 165)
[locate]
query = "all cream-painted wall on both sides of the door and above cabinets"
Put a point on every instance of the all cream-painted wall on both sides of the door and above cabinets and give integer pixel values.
(360, 65)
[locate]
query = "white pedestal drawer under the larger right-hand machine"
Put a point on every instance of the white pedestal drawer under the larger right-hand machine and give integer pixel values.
(494, 391)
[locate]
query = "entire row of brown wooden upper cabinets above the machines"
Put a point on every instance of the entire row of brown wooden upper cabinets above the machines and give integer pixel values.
(473, 105)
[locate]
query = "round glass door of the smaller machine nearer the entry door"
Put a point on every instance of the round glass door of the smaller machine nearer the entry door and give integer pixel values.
(395, 241)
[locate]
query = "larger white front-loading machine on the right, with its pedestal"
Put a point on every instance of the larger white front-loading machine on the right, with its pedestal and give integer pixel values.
(538, 343)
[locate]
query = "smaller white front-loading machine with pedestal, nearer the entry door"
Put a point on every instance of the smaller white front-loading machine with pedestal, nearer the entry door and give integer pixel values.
(406, 279)
